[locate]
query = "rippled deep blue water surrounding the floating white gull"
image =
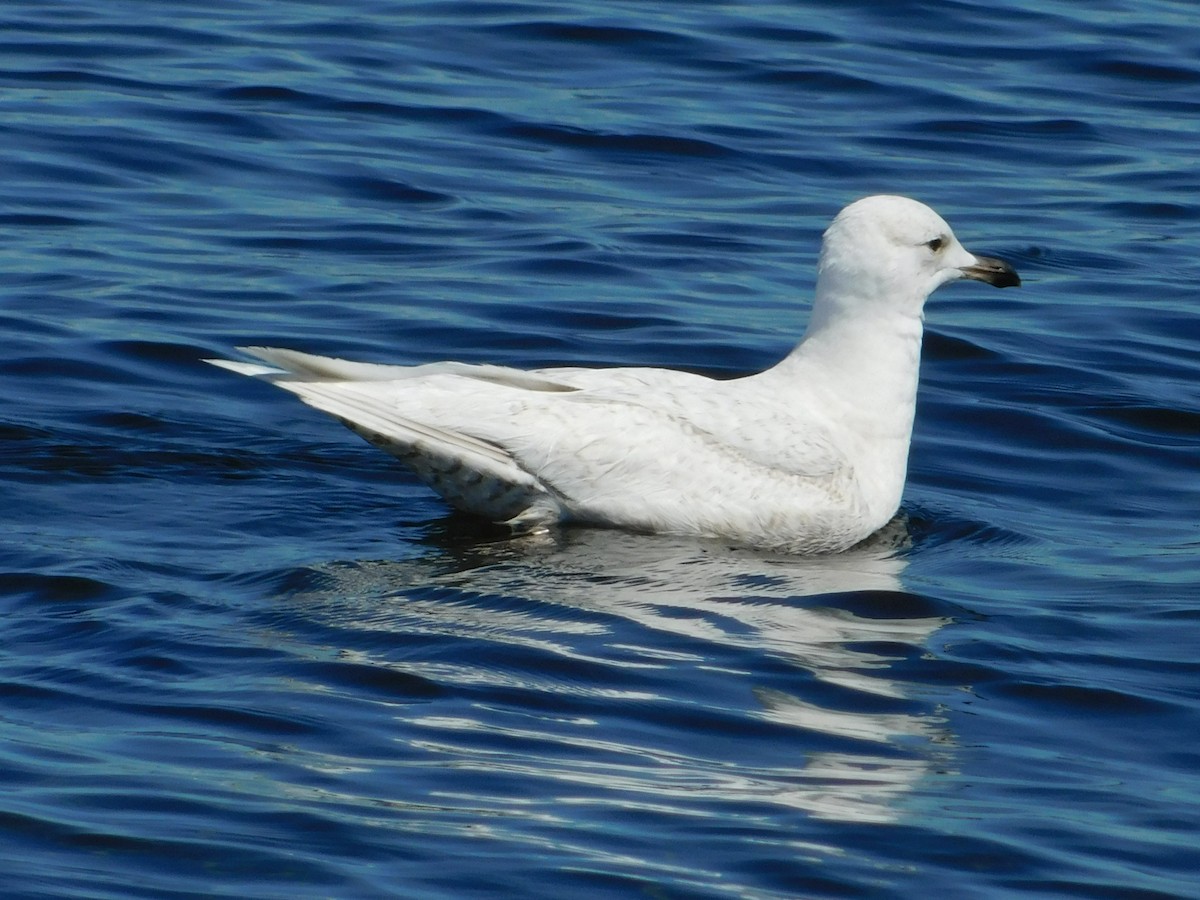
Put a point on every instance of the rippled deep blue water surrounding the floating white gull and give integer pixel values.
(249, 656)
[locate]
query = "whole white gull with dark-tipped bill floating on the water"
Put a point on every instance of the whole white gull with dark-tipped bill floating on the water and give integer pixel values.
(807, 457)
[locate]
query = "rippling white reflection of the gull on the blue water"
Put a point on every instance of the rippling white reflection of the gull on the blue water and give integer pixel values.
(662, 633)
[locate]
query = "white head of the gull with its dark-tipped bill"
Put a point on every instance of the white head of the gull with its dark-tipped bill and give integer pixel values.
(890, 254)
